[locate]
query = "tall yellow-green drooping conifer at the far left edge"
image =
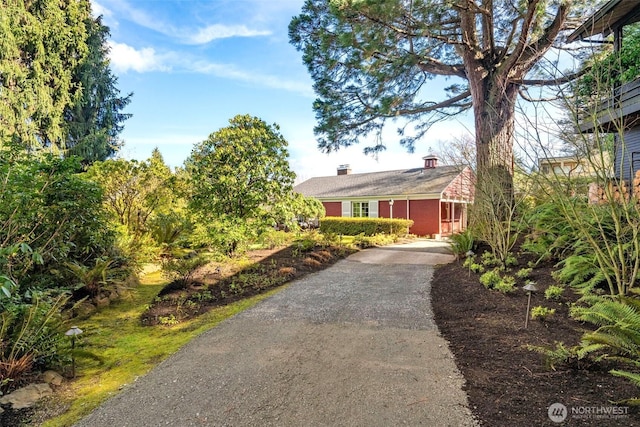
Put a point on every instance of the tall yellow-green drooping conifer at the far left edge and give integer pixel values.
(40, 47)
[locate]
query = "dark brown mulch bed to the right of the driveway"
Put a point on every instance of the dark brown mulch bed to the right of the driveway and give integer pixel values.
(507, 384)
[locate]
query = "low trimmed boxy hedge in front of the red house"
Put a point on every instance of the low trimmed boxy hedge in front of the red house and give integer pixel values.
(367, 226)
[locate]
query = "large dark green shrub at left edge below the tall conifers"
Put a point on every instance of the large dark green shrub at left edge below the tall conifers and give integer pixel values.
(47, 204)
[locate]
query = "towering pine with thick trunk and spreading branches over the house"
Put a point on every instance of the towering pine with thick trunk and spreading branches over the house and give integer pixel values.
(373, 61)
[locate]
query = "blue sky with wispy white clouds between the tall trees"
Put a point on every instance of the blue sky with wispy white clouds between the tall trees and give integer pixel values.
(192, 65)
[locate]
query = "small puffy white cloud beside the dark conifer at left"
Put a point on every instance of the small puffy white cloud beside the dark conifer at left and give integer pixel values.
(124, 58)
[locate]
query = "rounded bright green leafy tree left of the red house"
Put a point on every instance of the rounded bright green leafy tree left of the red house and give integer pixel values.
(238, 177)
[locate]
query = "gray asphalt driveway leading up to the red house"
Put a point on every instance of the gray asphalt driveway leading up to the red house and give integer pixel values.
(352, 345)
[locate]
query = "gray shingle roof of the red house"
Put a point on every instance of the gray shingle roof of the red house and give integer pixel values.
(399, 182)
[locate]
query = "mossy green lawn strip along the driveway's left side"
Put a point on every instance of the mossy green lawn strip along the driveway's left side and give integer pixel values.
(125, 350)
